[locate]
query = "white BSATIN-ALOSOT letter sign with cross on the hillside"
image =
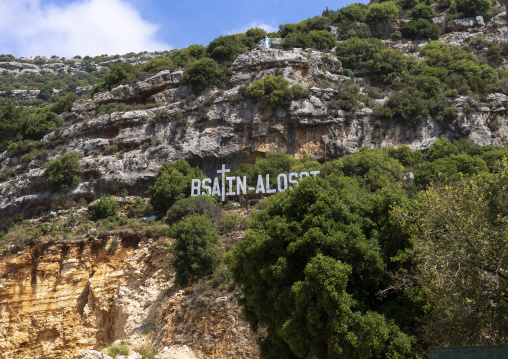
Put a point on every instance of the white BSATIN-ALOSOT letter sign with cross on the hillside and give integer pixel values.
(237, 186)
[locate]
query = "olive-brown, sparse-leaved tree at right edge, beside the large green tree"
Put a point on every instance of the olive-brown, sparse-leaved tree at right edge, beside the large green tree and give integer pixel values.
(460, 236)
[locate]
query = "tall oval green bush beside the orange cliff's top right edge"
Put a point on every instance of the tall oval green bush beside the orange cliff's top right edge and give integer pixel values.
(194, 251)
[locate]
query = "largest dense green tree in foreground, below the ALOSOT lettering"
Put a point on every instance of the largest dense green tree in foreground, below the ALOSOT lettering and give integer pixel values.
(308, 270)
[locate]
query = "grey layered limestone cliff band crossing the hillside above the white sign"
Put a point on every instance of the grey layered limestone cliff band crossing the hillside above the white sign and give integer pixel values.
(164, 120)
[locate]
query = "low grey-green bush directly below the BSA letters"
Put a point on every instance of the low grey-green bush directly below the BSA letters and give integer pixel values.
(205, 205)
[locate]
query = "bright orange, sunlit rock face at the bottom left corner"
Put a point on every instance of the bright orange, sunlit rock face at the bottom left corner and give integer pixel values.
(58, 299)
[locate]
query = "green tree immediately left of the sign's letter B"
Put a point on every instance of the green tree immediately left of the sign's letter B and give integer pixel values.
(173, 182)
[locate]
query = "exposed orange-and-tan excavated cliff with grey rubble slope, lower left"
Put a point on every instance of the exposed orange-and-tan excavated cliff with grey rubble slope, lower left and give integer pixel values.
(59, 299)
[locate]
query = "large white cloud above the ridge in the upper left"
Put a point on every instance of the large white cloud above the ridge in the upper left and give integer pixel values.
(82, 27)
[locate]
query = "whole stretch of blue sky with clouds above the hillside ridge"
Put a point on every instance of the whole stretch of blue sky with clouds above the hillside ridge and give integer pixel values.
(94, 27)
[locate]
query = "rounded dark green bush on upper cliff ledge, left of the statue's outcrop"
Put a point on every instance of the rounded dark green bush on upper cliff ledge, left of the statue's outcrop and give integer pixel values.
(202, 73)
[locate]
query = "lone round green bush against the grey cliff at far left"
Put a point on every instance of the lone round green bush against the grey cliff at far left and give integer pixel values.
(63, 173)
